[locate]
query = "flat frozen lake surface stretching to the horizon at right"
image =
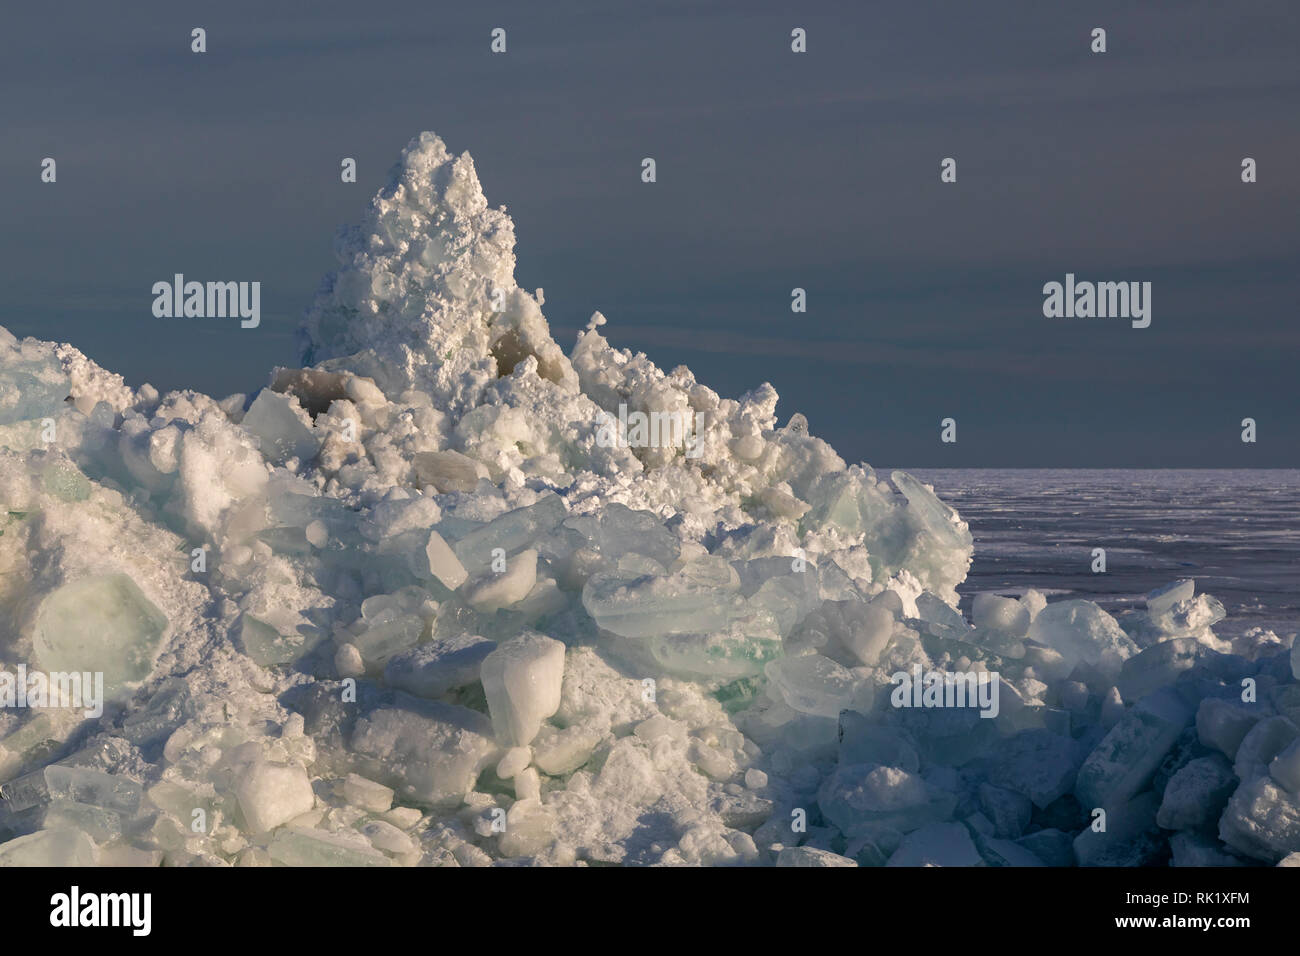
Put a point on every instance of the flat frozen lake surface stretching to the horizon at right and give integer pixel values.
(1237, 533)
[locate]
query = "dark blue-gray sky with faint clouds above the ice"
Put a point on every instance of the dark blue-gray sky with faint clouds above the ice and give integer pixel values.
(774, 171)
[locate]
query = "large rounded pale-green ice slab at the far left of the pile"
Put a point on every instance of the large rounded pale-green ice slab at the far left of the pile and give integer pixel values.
(101, 625)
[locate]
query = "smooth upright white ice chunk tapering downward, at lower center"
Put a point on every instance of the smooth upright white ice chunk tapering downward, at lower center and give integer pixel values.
(523, 680)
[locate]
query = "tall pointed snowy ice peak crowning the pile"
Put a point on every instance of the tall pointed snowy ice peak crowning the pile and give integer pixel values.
(426, 293)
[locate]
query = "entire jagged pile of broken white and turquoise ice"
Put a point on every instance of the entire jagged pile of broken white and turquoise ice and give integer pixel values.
(408, 607)
